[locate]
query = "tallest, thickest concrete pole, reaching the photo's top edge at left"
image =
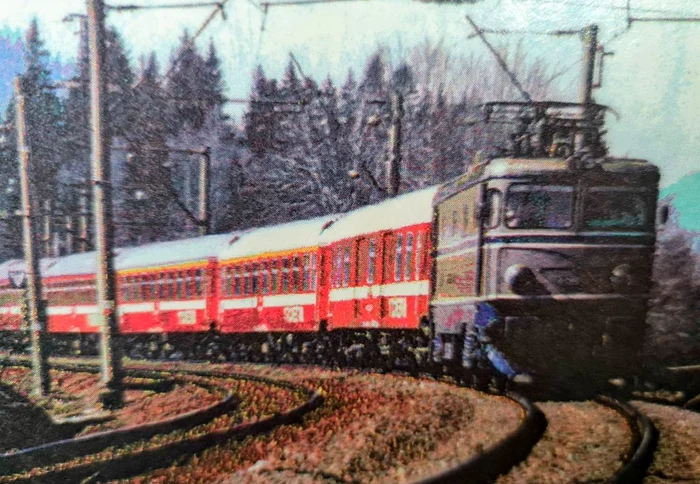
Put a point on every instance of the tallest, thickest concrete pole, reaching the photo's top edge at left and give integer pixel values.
(110, 356)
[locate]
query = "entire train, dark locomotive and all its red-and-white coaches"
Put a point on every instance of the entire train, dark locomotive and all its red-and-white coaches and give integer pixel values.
(538, 258)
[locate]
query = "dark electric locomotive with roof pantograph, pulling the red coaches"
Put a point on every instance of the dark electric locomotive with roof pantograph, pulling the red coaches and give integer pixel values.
(544, 252)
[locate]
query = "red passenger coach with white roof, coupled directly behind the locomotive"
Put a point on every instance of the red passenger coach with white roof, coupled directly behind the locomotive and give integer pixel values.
(377, 265)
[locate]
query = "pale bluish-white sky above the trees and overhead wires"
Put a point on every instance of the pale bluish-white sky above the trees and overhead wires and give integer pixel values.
(652, 80)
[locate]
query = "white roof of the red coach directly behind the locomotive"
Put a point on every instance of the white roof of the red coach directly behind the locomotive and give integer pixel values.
(407, 209)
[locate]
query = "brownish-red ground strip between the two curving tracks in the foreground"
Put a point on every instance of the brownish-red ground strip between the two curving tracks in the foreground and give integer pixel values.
(371, 428)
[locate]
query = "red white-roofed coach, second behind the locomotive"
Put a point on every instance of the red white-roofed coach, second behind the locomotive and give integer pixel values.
(269, 279)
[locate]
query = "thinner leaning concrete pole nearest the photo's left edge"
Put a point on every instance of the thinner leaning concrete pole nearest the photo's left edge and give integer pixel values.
(36, 306)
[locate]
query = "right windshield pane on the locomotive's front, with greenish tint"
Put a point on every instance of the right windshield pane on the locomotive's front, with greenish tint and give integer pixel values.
(614, 207)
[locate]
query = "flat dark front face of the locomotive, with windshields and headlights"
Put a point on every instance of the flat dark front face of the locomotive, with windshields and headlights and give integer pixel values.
(567, 265)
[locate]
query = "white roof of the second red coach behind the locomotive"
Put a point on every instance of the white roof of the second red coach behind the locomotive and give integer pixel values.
(278, 238)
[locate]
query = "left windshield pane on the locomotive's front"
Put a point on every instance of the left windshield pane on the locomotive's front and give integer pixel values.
(539, 206)
